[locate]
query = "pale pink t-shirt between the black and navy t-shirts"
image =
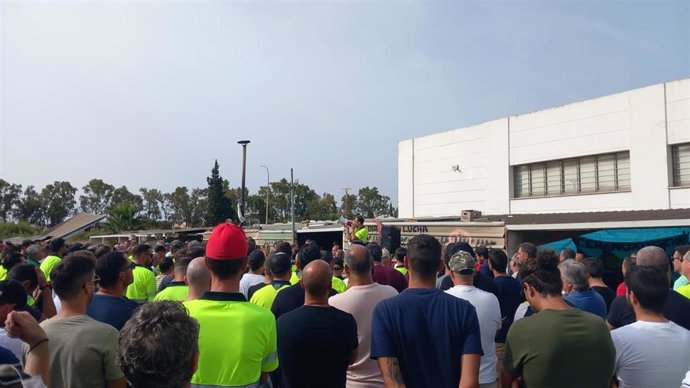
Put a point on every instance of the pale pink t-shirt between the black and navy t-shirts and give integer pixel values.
(360, 302)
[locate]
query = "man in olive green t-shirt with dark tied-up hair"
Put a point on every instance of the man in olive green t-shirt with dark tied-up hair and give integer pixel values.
(576, 352)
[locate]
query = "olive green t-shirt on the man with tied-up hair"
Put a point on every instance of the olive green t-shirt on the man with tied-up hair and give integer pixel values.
(561, 349)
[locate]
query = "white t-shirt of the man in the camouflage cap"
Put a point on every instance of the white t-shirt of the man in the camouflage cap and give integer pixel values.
(489, 315)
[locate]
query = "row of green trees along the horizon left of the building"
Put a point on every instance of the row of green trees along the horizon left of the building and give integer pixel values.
(152, 208)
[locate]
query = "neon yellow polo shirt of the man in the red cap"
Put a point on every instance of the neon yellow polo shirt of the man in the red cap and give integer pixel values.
(237, 340)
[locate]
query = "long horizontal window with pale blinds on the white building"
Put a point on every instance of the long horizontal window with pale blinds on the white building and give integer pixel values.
(588, 174)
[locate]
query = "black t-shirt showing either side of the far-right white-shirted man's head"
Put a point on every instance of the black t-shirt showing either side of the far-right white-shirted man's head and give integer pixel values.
(677, 309)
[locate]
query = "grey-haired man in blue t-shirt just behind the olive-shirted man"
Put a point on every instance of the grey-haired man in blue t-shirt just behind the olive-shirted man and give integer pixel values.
(577, 291)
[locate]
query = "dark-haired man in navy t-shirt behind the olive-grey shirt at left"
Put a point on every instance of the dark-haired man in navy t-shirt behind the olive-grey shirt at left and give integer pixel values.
(109, 305)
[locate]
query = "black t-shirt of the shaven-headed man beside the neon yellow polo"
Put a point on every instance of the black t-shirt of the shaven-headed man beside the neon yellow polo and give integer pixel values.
(315, 346)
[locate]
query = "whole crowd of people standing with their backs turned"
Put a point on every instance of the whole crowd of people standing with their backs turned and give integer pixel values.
(229, 313)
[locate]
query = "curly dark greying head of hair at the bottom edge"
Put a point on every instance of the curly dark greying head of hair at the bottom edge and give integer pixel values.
(157, 346)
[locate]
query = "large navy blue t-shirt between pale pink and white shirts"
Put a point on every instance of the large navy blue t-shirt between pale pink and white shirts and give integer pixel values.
(428, 331)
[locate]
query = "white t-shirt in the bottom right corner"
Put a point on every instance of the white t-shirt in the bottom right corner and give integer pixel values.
(651, 354)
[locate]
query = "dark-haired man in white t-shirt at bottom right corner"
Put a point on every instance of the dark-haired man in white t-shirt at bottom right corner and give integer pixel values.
(652, 352)
